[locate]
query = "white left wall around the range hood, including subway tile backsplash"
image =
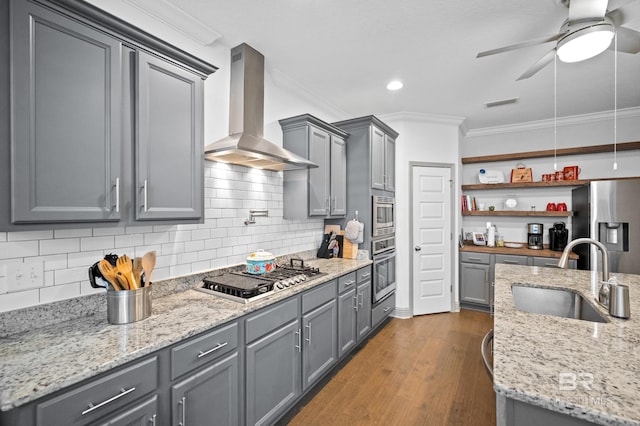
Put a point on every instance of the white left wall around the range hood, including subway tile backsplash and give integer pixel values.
(62, 257)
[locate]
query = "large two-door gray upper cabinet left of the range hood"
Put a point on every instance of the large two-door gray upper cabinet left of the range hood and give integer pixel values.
(106, 120)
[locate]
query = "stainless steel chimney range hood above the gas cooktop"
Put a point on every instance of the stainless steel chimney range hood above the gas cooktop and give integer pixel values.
(245, 144)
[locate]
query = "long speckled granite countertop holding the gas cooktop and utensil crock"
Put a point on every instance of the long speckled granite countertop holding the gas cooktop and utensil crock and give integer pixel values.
(37, 362)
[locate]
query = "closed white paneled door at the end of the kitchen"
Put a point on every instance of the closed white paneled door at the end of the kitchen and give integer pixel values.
(432, 239)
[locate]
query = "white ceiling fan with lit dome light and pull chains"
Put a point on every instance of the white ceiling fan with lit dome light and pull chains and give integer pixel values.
(588, 25)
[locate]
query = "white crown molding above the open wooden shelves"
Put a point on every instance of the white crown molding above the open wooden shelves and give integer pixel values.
(549, 123)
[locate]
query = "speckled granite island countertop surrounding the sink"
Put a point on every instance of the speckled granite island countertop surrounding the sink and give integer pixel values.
(532, 352)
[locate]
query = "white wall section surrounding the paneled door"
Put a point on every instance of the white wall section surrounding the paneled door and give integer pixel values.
(428, 139)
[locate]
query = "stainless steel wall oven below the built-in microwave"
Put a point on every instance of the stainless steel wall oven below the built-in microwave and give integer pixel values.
(384, 267)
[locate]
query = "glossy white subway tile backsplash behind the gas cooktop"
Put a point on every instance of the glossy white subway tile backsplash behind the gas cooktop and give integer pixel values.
(222, 240)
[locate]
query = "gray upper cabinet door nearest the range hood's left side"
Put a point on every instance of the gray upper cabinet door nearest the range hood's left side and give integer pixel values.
(169, 179)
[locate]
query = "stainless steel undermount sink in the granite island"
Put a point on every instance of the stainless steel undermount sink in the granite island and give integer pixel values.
(558, 302)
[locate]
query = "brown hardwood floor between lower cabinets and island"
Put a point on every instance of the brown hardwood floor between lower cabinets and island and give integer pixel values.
(422, 371)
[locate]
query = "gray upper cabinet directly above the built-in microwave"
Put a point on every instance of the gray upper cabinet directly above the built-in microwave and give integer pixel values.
(375, 143)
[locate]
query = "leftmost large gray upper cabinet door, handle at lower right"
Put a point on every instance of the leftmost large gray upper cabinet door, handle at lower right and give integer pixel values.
(65, 149)
